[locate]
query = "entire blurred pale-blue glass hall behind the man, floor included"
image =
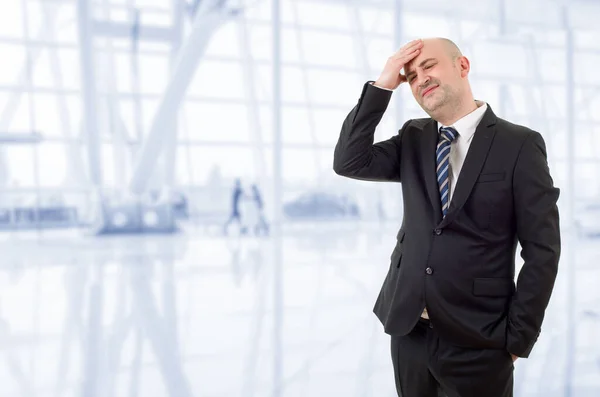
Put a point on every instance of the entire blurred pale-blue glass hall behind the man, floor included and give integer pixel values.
(170, 224)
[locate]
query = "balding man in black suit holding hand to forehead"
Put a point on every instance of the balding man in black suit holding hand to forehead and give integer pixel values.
(473, 185)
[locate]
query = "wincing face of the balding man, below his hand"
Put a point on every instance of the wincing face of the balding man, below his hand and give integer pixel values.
(434, 78)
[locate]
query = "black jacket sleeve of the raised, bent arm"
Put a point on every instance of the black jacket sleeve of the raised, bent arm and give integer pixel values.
(355, 155)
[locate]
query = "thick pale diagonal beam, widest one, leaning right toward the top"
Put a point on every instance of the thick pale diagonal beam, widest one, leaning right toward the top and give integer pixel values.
(203, 26)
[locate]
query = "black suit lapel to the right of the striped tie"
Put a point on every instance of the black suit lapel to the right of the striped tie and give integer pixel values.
(476, 155)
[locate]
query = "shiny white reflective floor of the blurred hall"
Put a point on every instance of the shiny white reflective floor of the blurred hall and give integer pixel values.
(199, 315)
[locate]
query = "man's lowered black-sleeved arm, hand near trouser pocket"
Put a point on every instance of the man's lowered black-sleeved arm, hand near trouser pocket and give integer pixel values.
(537, 226)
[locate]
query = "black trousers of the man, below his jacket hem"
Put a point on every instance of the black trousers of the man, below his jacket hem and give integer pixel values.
(425, 365)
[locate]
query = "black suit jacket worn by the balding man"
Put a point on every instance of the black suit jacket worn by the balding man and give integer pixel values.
(462, 266)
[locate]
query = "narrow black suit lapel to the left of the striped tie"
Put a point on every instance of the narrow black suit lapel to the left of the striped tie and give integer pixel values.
(429, 139)
